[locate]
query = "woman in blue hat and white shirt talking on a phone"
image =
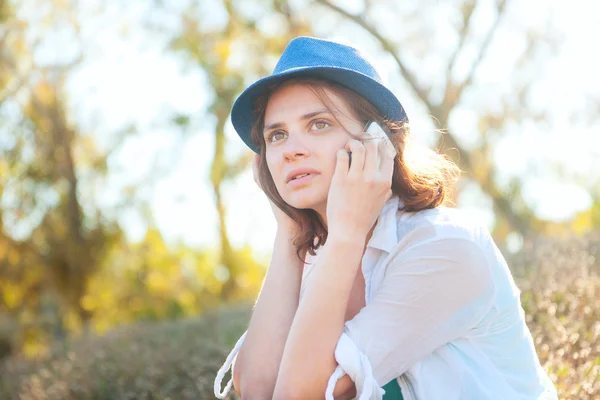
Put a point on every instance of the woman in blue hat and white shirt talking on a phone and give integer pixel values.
(400, 297)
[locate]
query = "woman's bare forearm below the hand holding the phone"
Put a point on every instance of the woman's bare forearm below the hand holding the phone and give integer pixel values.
(309, 360)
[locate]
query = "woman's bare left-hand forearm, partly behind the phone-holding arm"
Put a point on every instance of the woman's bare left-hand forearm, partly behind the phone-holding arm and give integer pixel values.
(258, 361)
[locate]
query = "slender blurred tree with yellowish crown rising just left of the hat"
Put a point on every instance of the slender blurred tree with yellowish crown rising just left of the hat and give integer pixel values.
(215, 50)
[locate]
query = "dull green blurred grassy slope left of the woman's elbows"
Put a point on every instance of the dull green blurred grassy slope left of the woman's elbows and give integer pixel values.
(168, 360)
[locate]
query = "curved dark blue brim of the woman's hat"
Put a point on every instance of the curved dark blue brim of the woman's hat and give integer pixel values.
(242, 116)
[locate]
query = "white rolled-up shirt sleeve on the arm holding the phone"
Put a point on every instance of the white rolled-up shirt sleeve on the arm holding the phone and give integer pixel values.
(434, 291)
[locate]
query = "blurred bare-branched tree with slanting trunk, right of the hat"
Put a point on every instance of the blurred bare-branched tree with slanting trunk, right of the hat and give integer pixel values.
(457, 67)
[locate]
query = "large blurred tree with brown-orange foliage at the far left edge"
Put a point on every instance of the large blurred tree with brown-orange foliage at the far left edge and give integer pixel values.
(52, 235)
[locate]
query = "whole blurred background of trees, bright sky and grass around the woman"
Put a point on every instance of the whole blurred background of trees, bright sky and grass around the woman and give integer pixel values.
(133, 239)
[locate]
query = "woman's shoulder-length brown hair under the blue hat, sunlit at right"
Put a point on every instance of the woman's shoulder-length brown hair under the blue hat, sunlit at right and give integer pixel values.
(422, 178)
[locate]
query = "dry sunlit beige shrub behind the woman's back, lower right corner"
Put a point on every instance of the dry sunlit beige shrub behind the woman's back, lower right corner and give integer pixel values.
(560, 293)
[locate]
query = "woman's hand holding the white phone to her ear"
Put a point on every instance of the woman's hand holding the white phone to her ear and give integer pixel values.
(357, 194)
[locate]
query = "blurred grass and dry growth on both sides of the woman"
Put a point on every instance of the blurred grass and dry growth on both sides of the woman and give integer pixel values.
(559, 280)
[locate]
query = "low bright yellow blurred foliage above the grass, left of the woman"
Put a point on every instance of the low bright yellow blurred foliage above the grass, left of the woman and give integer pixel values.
(156, 282)
